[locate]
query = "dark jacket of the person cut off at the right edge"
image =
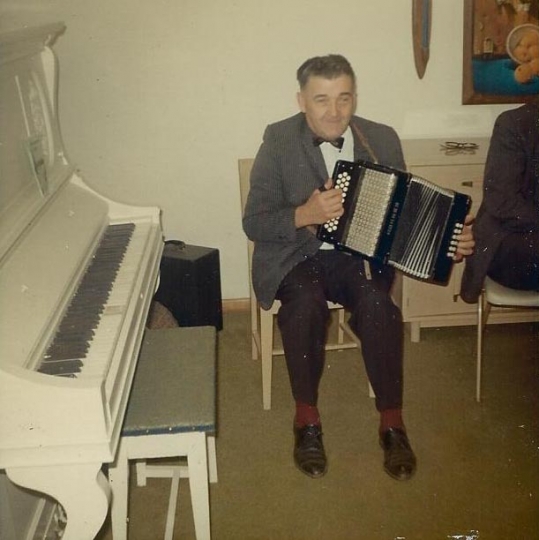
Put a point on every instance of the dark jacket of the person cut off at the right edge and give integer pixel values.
(510, 191)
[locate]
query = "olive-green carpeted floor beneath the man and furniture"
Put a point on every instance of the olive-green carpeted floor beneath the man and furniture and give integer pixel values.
(478, 472)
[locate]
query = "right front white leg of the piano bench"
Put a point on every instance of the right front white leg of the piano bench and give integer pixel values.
(197, 460)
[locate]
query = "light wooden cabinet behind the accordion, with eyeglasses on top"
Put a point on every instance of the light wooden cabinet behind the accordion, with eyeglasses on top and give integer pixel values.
(429, 305)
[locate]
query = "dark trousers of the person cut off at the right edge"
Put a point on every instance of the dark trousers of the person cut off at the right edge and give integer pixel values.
(516, 262)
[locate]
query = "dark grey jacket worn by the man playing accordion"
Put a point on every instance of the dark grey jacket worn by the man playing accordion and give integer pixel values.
(287, 169)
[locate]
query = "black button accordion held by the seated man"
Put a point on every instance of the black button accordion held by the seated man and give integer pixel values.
(396, 218)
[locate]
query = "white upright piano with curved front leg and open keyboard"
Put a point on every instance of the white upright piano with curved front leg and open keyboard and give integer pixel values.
(77, 275)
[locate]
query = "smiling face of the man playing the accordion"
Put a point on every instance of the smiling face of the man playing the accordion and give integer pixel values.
(328, 105)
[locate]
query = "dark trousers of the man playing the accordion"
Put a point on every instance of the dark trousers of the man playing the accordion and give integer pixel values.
(303, 321)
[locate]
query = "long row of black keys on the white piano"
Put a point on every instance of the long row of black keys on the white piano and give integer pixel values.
(76, 330)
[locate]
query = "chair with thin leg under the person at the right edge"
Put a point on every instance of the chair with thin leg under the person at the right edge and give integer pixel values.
(494, 294)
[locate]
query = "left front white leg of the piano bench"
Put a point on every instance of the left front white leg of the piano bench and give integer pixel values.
(119, 483)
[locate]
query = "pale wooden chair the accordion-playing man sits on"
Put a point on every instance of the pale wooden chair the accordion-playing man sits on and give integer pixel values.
(262, 321)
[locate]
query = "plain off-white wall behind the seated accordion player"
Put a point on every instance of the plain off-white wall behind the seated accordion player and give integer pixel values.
(159, 99)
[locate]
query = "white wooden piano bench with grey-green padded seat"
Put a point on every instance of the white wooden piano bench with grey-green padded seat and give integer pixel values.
(171, 413)
